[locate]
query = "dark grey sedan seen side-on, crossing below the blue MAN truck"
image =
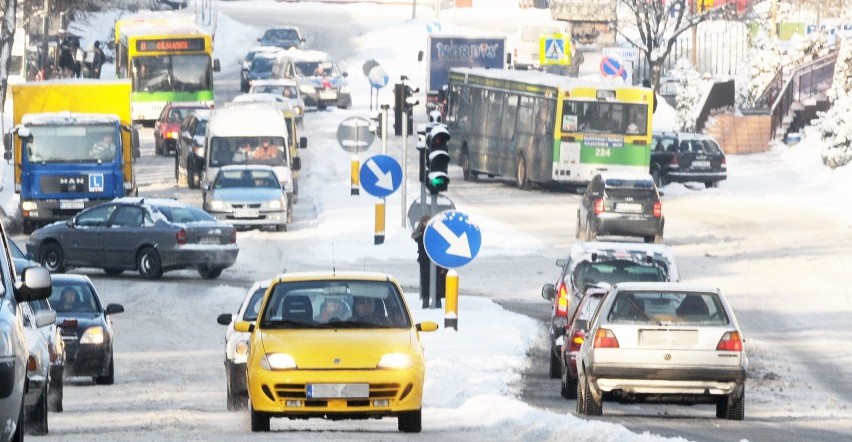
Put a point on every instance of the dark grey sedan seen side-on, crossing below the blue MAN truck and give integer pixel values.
(151, 235)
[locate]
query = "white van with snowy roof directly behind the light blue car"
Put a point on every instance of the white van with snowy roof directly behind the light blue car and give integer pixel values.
(231, 128)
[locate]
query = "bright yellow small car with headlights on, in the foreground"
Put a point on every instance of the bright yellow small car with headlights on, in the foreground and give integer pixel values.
(335, 345)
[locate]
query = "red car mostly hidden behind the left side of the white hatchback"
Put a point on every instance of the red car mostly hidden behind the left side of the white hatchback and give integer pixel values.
(575, 333)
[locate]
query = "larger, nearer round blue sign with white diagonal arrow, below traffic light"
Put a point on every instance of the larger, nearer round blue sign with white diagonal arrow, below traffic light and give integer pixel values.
(451, 240)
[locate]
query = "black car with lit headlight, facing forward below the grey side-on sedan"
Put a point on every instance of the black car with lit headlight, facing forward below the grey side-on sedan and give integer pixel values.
(86, 327)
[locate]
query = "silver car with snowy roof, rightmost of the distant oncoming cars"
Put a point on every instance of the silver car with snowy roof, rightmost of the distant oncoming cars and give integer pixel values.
(320, 80)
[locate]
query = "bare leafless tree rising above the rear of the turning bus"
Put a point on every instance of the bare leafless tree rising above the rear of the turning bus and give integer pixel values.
(658, 24)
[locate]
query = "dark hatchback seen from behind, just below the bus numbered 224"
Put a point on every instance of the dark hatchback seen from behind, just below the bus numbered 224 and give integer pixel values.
(623, 205)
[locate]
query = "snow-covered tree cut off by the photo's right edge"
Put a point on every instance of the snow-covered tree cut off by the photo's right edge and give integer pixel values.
(835, 125)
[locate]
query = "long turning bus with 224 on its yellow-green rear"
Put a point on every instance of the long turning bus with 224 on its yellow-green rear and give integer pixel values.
(543, 128)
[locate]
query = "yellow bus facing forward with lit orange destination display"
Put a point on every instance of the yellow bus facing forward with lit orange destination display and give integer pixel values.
(168, 57)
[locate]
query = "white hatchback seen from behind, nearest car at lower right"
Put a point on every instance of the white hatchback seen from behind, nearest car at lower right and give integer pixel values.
(663, 342)
